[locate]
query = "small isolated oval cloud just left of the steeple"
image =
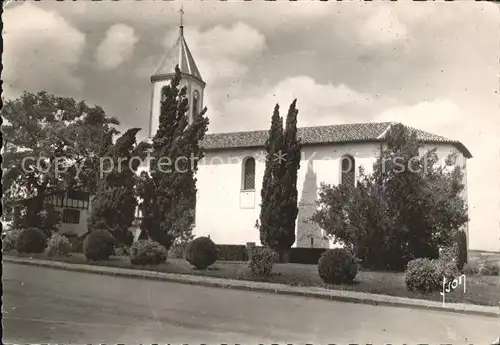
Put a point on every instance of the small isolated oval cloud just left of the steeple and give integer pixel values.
(117, 47)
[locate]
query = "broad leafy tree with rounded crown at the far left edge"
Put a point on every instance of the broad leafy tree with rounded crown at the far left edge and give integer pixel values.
(47, 140)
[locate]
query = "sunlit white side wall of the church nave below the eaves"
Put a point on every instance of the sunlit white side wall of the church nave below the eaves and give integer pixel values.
(225, 213)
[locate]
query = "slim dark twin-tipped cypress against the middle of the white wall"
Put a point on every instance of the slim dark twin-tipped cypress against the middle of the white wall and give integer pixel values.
(279, 188)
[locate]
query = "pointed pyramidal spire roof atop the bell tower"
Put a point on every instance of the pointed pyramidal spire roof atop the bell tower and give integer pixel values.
(179, 55)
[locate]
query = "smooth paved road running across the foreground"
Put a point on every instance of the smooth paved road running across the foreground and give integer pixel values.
(44, 305)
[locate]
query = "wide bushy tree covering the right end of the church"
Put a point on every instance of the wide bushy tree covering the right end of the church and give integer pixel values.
(408, 208)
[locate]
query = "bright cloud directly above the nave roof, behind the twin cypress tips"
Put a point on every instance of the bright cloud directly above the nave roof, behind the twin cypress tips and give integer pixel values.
(251, 107)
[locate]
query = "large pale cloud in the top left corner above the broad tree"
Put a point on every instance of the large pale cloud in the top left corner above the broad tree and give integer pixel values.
(41, 52)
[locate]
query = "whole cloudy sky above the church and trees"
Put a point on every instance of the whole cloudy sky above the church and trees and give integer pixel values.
(434, 66)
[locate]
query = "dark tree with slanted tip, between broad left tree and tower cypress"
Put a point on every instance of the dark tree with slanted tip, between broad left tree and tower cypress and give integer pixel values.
(114, 205)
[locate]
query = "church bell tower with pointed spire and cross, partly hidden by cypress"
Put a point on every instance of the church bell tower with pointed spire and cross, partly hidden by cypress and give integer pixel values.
(190, 78)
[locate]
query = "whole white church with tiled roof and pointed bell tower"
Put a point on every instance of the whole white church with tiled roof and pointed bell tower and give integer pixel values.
(229, 178)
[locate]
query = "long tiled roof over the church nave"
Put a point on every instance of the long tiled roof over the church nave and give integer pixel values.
(333, 134)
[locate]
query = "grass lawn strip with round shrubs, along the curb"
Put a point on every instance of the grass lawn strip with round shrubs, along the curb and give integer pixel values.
(482, 290)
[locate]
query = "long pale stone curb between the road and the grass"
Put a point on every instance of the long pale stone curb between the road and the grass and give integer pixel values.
(310, 292)
